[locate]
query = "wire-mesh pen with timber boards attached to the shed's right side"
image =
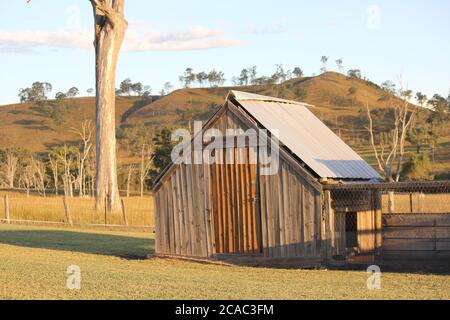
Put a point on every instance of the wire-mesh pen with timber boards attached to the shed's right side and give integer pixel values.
(389, 220)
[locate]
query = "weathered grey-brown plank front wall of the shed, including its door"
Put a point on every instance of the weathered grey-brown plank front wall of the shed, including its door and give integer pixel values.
(205, 210)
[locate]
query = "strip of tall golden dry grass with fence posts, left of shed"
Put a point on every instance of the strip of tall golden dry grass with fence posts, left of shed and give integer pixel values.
(19, 206)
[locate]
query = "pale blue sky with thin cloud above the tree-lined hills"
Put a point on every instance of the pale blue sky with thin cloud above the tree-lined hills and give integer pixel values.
(48, 40)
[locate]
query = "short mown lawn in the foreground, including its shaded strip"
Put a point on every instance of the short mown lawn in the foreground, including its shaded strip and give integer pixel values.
(33, 264)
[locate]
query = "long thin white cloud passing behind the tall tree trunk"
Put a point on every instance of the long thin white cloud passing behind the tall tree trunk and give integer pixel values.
(194, 38)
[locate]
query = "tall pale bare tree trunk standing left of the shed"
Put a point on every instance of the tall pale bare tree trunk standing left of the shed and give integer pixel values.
(110, 27)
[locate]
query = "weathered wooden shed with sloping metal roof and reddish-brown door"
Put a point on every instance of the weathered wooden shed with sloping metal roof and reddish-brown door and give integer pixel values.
(234, 208)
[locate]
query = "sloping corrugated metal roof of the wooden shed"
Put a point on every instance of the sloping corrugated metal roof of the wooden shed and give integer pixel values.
(307, 137)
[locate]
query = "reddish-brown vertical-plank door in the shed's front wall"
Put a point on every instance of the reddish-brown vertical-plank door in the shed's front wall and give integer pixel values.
(234, 192)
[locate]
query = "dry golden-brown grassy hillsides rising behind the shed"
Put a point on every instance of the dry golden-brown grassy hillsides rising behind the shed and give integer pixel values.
(338, 101)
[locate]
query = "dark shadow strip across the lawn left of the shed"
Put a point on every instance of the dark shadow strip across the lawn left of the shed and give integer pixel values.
(92, 243)
